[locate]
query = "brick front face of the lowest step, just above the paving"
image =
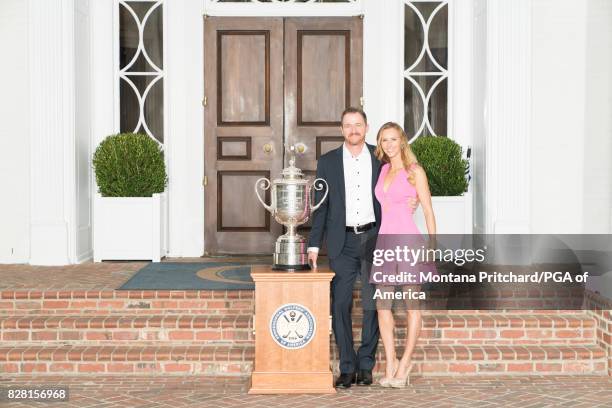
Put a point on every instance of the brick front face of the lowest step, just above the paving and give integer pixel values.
(229, 364)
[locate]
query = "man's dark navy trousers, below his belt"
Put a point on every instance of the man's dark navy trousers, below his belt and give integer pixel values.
(350, 264)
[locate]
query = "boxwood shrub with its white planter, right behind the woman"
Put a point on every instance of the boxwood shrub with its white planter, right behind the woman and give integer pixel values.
(446, 169)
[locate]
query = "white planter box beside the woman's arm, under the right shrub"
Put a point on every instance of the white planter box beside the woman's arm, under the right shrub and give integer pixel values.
(453, 215)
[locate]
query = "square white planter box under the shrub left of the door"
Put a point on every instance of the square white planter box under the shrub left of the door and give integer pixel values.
(130, 228)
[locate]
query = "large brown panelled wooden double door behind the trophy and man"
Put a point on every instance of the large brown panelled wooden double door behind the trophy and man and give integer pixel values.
(270, 83)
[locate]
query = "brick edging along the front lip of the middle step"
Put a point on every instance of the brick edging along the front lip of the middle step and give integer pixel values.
(183, 321)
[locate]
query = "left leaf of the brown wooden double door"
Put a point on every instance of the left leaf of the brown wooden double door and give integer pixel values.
(244, 113)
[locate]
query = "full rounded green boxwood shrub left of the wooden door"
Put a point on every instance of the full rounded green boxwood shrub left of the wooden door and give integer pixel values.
(129, 165)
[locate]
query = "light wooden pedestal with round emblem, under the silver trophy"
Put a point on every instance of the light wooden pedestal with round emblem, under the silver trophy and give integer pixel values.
(291, 368)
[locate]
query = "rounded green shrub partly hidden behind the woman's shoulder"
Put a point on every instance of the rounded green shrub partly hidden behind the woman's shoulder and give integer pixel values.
(444, 165)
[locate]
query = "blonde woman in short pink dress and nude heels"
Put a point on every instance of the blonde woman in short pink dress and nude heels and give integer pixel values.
(400, 178)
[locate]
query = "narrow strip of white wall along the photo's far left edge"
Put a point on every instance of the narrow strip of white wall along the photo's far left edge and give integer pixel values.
(14, 133)
